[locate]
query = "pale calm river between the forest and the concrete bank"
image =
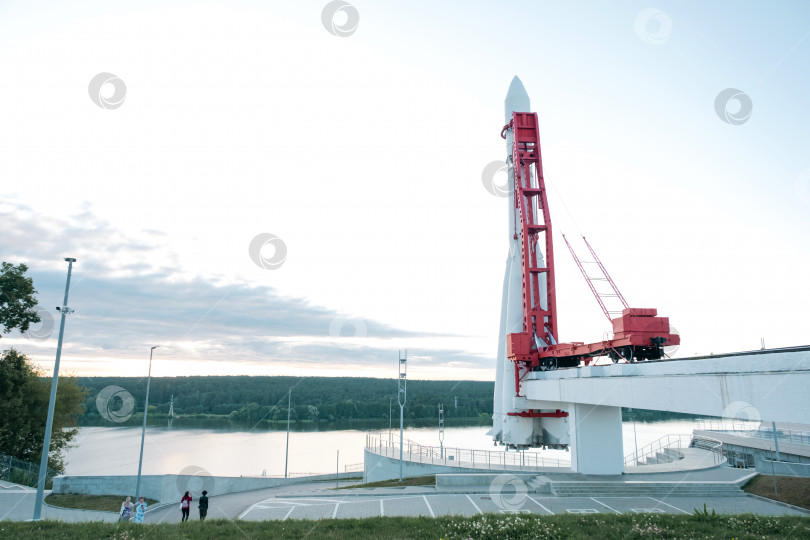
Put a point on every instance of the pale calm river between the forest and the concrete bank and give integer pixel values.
(114, 450)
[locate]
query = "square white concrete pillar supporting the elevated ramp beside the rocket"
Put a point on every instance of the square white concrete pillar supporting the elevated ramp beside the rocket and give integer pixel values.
(596, 439)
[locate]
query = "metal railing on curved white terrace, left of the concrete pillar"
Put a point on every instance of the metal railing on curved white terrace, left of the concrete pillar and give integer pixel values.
(461, 457)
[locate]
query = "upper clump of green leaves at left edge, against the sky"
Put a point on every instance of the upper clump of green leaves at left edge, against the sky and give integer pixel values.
(17, 298)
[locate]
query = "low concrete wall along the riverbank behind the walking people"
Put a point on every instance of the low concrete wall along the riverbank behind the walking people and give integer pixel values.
(171, 487)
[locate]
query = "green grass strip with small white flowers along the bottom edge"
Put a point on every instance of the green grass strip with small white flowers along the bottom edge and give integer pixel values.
(489, 526)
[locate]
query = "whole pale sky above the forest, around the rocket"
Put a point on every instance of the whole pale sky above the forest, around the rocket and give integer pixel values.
(301, 188)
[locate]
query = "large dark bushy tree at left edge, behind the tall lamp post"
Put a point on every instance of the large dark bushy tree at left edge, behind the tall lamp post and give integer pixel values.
(24, 396)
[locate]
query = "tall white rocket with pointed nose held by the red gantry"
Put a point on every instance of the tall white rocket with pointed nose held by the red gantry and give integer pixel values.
(516, 430)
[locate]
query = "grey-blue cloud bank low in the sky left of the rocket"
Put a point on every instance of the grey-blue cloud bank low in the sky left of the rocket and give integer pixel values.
(124, 304)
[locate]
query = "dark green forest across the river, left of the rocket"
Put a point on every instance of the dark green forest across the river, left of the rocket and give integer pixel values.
(250, 399)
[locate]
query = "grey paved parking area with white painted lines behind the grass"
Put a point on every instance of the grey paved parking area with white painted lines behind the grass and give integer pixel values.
(319, 501)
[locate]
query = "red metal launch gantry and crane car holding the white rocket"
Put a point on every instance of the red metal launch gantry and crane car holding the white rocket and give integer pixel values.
(638, 334)
